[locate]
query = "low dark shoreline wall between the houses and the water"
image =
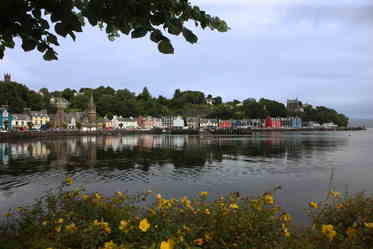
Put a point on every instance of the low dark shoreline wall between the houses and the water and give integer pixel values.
(50, 134)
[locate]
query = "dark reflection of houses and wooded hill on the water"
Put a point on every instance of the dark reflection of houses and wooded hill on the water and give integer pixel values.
(271, 153)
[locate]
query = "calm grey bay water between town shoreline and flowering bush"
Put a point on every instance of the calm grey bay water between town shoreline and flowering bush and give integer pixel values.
(302, 163)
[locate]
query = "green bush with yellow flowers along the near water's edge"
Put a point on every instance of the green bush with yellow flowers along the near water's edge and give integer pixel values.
(73, 219)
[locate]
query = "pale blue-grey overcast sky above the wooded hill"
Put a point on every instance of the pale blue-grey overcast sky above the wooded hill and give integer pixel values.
(318, 51)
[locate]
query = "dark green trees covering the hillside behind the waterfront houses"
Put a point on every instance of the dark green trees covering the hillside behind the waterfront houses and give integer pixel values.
(187, 103)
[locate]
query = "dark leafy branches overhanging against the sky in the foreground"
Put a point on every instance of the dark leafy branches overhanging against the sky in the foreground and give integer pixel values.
(33, 21)
